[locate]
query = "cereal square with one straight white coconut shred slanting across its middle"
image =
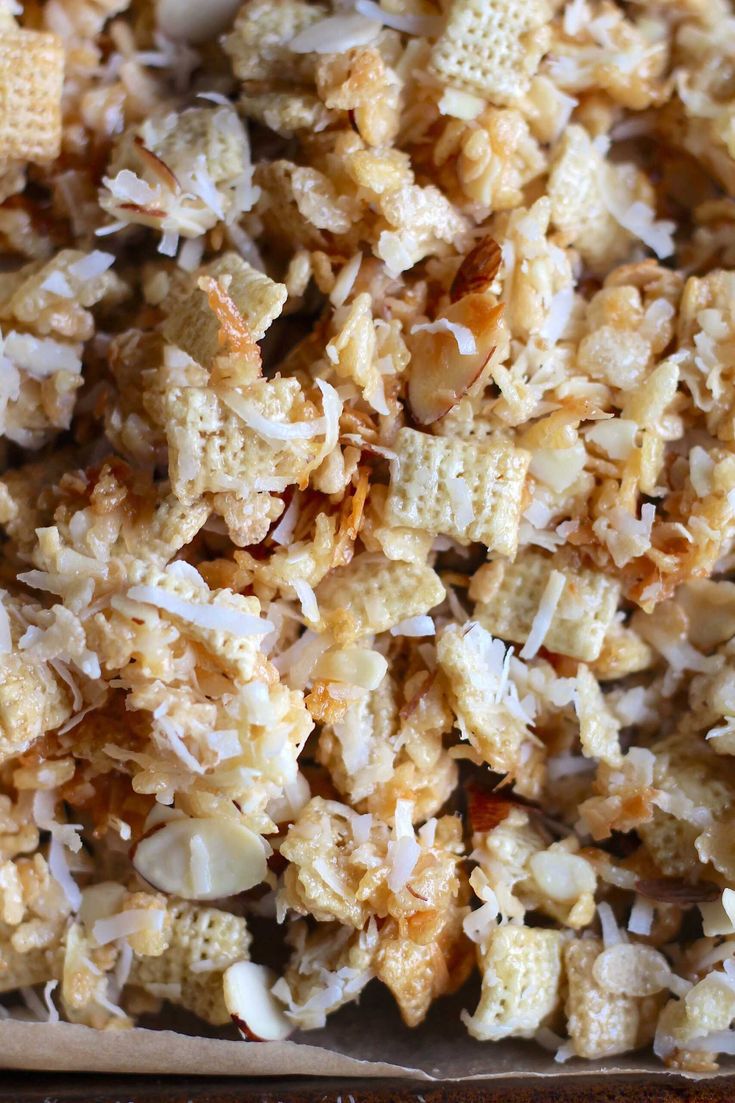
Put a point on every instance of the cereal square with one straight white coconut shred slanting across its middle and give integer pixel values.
(583, 616)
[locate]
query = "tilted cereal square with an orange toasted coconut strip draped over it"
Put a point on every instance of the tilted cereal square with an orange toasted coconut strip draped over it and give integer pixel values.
(194, 326)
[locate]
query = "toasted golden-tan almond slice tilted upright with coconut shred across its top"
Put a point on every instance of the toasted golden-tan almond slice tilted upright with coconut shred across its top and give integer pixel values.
(440, 373)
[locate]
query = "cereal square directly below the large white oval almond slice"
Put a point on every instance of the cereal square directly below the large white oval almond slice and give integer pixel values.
(200, 937)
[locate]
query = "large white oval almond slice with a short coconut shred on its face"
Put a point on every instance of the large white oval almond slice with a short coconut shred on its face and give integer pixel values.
(201, 860)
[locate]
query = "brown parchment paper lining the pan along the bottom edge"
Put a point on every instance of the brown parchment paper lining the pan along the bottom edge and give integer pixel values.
(366, 1041)
